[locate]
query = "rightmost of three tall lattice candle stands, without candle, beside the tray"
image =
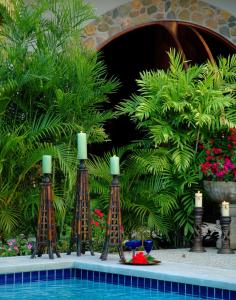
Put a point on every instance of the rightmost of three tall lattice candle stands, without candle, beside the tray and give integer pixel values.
(113, 235)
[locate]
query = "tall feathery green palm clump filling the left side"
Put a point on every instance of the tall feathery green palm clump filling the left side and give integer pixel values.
(51, 87)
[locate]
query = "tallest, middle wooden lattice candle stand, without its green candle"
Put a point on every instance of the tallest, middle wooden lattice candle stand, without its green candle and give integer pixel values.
(81, 232)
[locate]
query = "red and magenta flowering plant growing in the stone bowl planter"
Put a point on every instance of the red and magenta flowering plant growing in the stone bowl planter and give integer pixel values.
(217, 157)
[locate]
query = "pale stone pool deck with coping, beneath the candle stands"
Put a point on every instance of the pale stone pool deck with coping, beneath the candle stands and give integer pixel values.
(179, 265)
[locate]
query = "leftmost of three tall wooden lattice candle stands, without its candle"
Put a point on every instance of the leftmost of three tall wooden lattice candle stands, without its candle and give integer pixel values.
(46, 231)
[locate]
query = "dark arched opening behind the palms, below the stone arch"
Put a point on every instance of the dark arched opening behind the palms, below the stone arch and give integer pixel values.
(145, 48)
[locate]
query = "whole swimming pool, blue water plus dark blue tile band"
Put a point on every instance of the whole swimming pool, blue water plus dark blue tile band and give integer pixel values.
(50, 284)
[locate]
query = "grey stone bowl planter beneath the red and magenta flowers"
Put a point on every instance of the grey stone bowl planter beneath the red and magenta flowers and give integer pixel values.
(220, 191)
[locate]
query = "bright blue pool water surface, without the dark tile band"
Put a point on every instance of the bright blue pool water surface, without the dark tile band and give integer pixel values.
(75, 289)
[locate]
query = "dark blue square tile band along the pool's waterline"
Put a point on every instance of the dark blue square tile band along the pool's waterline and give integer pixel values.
(118, 279)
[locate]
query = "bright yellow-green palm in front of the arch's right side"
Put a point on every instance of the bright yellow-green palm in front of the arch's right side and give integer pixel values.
(176, 110)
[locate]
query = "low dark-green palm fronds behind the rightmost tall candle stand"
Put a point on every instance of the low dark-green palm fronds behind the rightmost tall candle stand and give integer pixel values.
(141, 207)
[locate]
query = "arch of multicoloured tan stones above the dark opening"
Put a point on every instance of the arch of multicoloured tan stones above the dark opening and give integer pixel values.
(137, 13)
